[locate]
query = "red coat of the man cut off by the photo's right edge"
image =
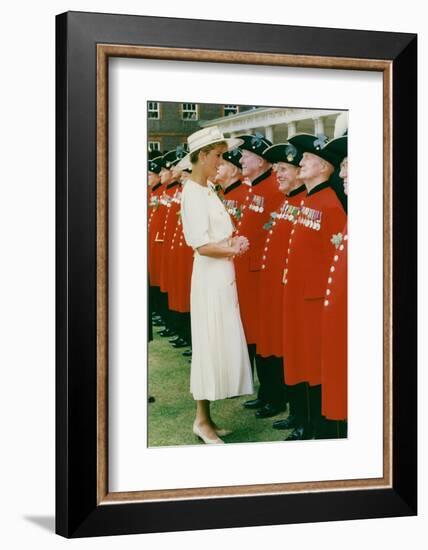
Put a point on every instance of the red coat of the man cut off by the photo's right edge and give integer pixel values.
(335, 334)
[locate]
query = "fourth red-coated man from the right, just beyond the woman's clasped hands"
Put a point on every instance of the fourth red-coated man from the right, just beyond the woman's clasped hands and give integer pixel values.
(262, 198)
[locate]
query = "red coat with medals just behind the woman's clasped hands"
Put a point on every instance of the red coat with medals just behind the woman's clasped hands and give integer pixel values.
(262, 198)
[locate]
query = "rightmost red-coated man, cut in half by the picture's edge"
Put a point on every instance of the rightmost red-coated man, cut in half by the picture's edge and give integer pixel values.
(334, 394)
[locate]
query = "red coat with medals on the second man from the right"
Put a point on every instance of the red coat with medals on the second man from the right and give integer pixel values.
(305, 278)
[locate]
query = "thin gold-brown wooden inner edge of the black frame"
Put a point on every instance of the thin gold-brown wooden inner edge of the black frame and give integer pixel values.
(104, 51)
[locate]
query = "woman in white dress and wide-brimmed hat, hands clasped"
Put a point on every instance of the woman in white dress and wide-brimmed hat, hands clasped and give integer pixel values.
(220, 365)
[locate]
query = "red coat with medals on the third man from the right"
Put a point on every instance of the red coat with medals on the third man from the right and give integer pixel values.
(269, 340)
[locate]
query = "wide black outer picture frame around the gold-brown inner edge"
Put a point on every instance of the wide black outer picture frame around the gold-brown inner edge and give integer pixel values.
(78, 510)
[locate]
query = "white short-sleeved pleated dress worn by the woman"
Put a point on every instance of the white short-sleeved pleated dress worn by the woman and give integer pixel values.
(220, 365)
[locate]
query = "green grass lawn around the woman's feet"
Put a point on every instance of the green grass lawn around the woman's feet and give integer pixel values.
(170, 417)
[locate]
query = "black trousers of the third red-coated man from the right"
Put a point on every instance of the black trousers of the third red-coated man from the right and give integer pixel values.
(270, 373)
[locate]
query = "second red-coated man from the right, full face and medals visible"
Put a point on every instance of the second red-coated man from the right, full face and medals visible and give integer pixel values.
(306, 270)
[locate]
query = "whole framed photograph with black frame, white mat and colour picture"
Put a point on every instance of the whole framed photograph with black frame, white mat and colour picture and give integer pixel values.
(151, 113)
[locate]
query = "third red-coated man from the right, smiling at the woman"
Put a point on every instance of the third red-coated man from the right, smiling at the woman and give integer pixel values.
(285, 158)
